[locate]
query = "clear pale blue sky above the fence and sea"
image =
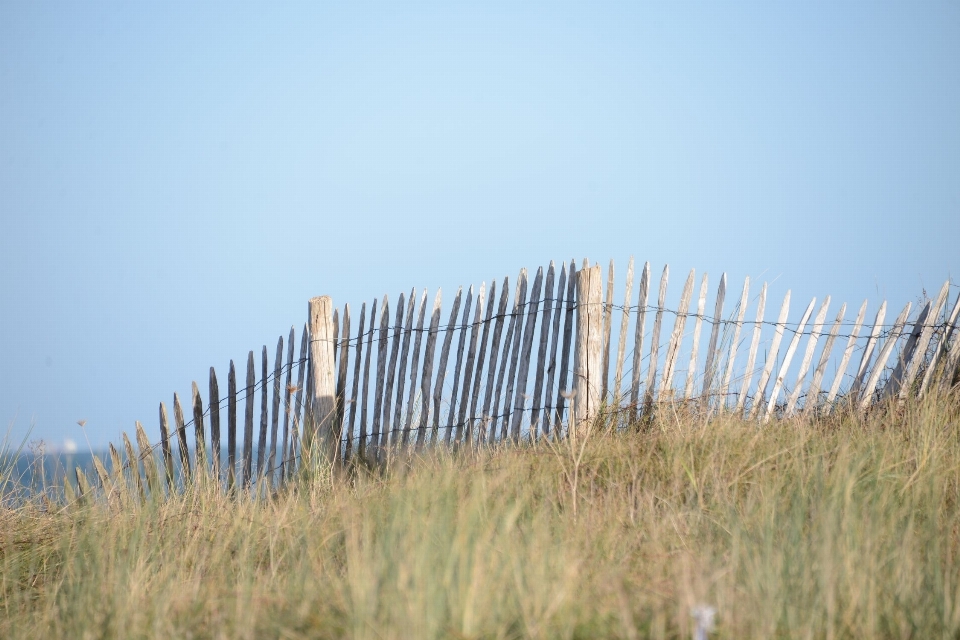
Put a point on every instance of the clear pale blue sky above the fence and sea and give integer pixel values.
(177, 181)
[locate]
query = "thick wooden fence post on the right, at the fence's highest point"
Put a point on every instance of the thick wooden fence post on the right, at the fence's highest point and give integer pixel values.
(587, 373)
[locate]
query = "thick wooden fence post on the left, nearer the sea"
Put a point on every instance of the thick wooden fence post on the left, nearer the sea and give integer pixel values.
(323, 383)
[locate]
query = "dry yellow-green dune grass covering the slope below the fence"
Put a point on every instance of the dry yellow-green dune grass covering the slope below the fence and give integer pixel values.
(834, 528)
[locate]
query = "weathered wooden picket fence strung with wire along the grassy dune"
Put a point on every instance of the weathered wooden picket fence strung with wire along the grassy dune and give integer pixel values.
(531, 365)
